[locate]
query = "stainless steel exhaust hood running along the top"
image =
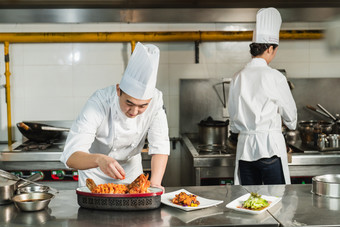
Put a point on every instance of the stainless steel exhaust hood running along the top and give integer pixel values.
(155, 11)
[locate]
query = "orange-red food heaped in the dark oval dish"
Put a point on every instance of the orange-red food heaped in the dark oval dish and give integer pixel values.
(140, 185)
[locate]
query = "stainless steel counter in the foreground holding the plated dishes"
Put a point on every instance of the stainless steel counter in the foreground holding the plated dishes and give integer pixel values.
(298, 207)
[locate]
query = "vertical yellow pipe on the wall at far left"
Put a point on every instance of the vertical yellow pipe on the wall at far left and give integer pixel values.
(8, 94)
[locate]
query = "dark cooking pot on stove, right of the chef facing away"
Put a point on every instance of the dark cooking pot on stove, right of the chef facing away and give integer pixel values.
(310, 129)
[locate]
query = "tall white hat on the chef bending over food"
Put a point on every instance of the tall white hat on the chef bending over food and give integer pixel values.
(140, 76)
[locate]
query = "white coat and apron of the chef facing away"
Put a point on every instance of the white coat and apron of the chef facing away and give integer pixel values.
(259, 100)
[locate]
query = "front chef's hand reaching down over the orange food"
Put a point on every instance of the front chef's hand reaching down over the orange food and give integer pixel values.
(111, 167)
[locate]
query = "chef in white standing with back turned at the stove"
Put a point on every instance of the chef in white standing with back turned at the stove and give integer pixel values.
(259, 101)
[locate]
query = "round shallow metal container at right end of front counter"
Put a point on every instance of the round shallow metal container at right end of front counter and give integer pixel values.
(327, 185)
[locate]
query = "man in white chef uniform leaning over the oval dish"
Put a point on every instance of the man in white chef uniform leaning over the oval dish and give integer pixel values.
(106, 139)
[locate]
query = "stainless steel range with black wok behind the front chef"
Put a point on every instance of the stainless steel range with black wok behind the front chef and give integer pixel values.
(26, 157)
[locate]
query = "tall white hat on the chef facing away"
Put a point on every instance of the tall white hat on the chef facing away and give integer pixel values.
(268, 23)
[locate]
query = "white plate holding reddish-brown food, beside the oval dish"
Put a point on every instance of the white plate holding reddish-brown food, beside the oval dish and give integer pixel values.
(204, 203)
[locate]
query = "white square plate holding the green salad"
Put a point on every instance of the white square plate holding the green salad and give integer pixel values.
(237, 203)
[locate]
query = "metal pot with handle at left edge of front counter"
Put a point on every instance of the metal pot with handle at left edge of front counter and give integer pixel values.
(8, 187)
